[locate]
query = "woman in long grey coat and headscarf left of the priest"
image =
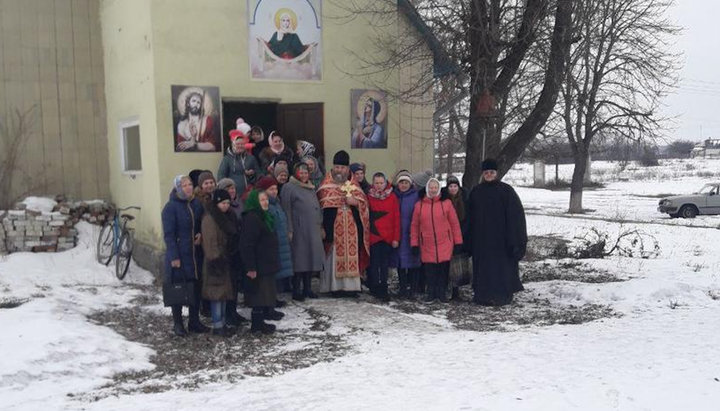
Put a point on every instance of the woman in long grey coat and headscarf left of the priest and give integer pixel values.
(301, 205)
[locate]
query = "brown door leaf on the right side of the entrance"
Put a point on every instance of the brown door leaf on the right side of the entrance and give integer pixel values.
(303, 121)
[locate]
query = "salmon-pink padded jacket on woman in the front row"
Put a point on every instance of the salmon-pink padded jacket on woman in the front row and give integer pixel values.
(435, 229)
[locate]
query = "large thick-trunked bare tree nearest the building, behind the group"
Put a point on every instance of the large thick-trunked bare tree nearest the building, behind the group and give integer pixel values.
(488, 45)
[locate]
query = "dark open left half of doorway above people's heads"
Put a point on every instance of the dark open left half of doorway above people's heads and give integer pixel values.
(255, 114)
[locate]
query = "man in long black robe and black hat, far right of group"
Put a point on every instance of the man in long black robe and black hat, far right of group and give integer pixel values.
(497, 238)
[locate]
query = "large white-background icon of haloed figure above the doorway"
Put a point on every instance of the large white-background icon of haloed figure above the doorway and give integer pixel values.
(285, 39)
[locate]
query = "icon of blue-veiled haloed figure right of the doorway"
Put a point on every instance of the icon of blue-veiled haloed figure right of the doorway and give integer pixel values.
(369, 119)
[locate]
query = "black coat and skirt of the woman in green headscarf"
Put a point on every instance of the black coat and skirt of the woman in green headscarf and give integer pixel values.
(259, 250)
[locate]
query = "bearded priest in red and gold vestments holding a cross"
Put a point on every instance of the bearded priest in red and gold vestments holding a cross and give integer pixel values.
(346, 223)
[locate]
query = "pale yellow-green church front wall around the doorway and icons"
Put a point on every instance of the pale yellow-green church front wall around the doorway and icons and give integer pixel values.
(205, 43)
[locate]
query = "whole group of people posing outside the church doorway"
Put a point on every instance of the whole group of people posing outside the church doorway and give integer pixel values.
(272, 221)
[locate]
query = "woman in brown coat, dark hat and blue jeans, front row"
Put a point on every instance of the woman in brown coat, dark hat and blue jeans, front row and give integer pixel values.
(219, 241)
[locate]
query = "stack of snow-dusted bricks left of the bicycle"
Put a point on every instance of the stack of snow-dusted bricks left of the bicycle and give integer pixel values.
(27, 230)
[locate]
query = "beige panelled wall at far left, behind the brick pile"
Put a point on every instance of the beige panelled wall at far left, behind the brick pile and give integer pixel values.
(51, 59)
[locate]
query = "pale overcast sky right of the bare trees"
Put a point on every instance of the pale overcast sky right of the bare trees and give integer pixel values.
(697, 101)
